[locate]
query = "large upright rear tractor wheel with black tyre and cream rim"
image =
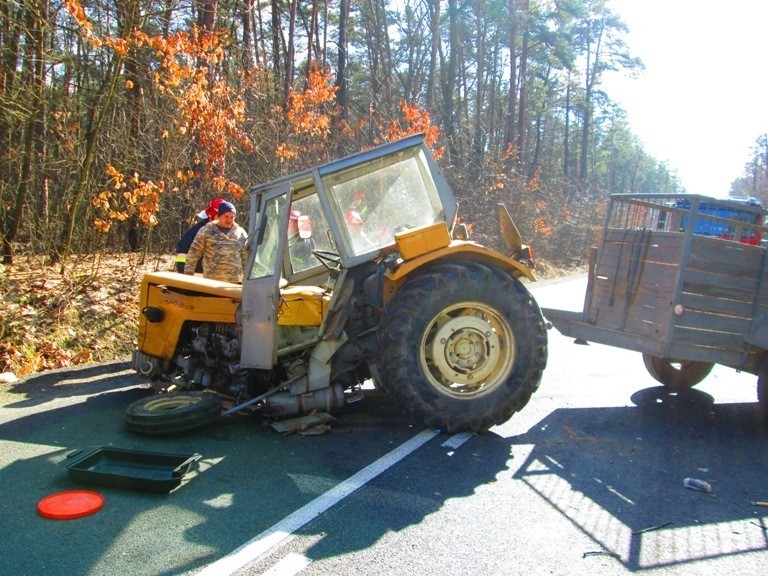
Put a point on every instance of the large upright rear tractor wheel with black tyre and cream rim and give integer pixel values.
(462, 347)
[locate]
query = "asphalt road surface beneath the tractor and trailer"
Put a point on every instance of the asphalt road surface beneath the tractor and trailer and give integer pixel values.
(587, 479)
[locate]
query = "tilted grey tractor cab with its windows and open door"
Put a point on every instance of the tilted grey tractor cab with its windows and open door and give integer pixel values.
(311, 230)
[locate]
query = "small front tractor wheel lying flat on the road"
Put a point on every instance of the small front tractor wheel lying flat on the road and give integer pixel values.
(172, 413)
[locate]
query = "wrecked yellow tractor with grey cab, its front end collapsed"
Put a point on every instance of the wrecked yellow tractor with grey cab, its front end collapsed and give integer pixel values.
(357, 274)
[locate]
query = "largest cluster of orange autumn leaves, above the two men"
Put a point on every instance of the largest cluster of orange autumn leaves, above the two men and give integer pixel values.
(209, 114)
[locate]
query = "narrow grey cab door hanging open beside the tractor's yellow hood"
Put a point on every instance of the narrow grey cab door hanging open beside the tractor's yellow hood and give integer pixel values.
(261, 286)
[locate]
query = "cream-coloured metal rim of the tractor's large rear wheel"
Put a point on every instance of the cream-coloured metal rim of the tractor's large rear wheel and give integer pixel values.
(467, 350)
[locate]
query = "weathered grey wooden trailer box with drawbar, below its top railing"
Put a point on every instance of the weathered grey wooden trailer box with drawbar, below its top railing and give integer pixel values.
(674, 294)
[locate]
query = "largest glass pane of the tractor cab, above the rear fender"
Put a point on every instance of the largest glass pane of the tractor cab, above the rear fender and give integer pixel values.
(374, 200)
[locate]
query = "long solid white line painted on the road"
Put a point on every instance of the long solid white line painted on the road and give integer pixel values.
(274, 536)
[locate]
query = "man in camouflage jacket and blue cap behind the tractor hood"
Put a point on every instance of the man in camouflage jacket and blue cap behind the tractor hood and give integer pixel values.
(221, 246)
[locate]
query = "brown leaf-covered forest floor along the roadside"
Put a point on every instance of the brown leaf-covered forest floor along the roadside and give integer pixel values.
(87, 316)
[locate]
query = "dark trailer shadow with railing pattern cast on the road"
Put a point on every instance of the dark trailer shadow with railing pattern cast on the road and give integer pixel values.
(617, 475)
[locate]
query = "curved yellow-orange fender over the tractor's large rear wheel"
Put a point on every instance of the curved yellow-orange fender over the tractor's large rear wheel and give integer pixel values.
(457, 250)
